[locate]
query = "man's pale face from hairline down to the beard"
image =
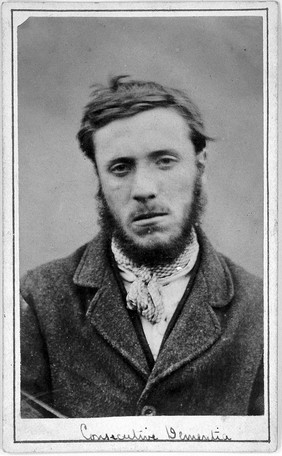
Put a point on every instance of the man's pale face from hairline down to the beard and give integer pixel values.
(147, 170)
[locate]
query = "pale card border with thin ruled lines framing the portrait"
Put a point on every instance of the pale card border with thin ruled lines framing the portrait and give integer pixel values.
(11, 195)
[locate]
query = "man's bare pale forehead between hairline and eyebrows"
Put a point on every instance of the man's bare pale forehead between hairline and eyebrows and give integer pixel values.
(159, 127)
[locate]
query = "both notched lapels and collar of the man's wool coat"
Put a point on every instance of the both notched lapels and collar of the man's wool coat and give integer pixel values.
(196, 329)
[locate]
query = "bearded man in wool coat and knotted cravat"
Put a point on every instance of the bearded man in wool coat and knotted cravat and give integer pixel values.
(147, 319)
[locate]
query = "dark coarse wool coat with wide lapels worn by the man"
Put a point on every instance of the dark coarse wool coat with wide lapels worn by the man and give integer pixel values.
(80, 350)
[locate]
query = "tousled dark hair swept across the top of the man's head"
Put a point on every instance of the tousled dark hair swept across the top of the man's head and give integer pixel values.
(126, 99)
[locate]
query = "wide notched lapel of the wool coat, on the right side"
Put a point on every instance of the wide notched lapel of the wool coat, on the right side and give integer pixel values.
(198, 327)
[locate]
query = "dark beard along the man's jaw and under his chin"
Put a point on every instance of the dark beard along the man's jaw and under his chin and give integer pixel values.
(156, 255)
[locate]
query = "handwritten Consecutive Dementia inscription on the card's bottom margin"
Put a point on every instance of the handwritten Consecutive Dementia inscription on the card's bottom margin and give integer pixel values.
(143, 435)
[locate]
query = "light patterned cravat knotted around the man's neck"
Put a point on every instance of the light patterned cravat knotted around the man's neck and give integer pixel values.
(144, 294)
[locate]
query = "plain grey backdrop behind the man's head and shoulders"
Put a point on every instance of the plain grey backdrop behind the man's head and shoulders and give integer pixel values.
(217, 60)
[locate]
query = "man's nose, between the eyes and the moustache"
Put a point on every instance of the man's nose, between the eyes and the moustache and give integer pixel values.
(144, 185)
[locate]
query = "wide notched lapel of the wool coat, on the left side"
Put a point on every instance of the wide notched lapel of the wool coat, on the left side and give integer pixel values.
(106, 310)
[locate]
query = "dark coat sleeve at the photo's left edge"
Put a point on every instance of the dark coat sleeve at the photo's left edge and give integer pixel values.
(35, 371)
